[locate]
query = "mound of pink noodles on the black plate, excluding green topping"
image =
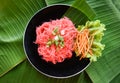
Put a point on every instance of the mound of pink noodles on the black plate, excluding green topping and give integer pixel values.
(53, 53)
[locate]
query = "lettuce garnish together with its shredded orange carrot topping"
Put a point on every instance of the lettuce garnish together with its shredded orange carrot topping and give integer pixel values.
(89, 45)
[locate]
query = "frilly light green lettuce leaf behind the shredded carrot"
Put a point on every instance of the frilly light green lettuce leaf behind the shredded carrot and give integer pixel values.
(96, 29)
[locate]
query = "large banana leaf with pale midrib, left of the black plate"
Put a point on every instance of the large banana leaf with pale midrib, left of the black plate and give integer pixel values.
(13, 20)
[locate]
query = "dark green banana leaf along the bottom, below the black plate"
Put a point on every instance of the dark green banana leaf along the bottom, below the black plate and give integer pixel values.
(25, 73)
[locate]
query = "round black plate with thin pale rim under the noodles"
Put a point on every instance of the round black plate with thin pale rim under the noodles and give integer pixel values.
(68, 68)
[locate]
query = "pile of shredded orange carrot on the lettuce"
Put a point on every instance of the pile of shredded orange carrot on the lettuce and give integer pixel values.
(83, 43)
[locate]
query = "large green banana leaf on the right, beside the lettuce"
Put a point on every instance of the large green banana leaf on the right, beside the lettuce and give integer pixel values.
(107, 68)
